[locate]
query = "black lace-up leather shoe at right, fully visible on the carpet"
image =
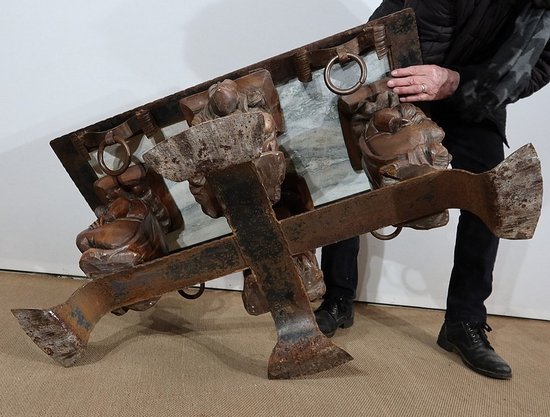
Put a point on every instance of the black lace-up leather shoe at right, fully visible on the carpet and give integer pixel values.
(470, 342)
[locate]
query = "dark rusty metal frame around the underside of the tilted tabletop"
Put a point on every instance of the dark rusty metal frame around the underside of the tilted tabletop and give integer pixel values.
(401, 42)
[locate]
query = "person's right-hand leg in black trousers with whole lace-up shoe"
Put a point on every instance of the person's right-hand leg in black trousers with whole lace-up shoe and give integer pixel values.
(475, 148)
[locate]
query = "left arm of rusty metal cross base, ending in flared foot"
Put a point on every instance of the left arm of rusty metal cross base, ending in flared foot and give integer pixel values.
(66, 338)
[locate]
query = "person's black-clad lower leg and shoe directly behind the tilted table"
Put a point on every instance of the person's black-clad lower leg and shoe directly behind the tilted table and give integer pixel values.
(339, 266)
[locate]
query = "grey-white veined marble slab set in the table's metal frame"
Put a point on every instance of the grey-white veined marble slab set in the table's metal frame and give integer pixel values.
(312, 142)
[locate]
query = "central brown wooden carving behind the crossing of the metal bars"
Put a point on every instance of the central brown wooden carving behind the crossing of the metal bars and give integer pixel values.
(254, 93)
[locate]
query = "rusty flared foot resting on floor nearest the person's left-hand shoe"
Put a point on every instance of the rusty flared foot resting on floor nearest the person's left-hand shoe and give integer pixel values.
(305, 357)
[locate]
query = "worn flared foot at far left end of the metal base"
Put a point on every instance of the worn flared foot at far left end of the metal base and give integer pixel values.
(51, 335)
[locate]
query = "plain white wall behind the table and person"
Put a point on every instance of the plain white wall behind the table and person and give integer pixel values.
(67, 64)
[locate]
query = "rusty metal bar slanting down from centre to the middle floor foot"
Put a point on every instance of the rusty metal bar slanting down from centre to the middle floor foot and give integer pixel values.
(301, 348)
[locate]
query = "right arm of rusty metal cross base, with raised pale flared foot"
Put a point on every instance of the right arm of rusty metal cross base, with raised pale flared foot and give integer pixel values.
(509, 207)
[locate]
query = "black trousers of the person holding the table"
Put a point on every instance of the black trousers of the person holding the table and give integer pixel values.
(475, 147)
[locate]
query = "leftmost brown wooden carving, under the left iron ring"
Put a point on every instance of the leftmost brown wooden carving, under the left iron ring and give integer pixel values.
(130, 228)
